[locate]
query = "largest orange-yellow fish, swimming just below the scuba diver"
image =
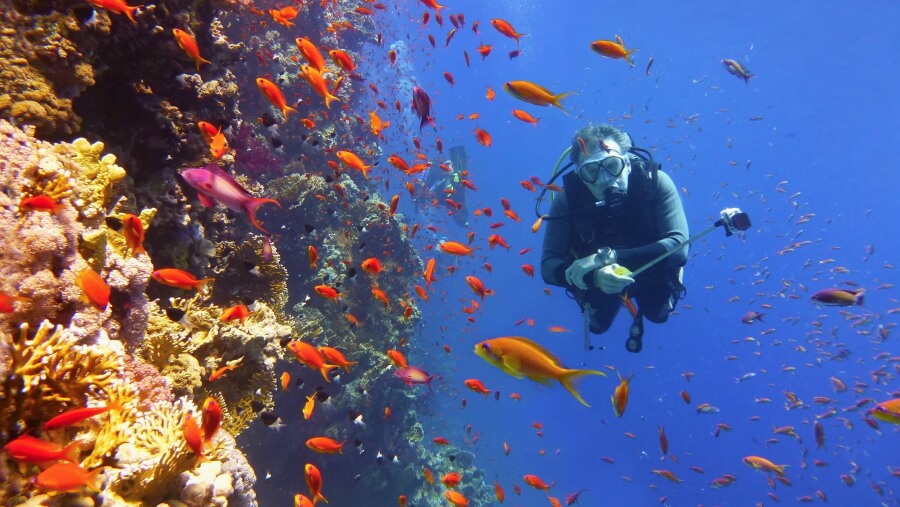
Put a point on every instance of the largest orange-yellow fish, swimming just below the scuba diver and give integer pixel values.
(521, 357)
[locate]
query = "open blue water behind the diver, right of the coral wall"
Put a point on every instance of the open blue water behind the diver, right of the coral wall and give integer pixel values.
(823, 145)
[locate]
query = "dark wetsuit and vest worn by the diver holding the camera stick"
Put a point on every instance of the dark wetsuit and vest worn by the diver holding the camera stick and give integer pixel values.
(650, 222)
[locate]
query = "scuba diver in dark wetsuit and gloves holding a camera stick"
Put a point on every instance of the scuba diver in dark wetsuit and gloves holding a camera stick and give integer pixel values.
(618, 212)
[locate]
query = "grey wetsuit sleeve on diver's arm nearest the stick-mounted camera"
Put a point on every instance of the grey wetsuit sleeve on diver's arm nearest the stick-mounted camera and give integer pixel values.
(672, 226)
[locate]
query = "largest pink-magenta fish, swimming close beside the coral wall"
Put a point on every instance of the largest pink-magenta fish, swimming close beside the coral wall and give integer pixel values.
(214, 184)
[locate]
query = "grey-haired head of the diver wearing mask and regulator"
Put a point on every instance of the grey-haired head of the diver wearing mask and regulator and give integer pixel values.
(600, 154)
